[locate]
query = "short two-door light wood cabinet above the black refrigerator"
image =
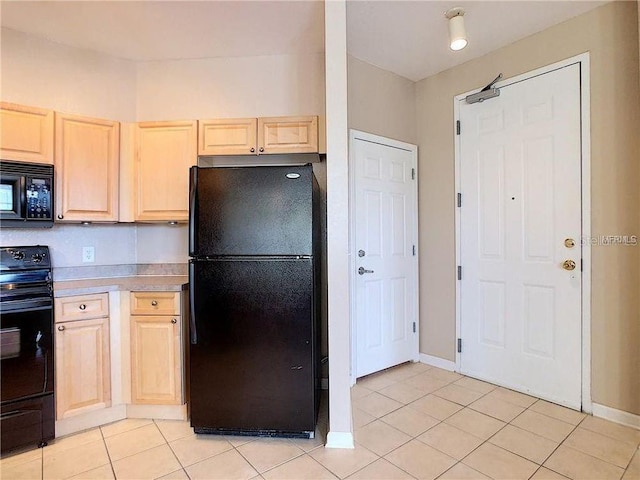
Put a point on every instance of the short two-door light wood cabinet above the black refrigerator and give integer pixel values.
(260, 136)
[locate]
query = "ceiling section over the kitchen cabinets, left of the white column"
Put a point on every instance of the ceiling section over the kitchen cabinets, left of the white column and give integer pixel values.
(163, 30)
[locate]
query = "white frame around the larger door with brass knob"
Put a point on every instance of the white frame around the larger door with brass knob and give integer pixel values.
(585, 136)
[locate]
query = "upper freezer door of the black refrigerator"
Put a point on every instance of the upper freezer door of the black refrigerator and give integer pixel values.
(253, 211)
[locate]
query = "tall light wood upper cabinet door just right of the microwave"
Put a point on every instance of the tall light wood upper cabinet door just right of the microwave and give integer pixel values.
(87, 162)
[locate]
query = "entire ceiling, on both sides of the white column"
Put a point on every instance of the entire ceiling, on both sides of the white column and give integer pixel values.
(405, 37)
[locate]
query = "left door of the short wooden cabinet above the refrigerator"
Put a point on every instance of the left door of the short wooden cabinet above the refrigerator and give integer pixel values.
(229, 136)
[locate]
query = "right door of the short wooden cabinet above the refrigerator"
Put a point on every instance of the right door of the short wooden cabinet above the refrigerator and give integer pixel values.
(288, 134)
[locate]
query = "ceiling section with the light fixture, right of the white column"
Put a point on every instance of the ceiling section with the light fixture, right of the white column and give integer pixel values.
(410, 38)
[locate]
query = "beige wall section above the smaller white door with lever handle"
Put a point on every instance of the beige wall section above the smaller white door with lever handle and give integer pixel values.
(381, 102)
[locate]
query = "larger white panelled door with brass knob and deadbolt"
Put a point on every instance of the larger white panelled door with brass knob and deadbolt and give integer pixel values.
(520, 220)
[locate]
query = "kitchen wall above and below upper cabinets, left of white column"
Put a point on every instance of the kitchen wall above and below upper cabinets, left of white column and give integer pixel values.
(45, 74)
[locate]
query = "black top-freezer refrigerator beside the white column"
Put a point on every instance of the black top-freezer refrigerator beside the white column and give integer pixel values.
(254, 242)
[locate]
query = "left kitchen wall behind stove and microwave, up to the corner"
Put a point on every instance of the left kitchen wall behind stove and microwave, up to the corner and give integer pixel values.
(49, 75)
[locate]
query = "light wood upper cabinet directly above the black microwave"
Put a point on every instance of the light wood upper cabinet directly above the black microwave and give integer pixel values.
(26, 133)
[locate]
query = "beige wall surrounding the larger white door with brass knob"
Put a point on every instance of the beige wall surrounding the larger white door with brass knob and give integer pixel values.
(610, 34)
